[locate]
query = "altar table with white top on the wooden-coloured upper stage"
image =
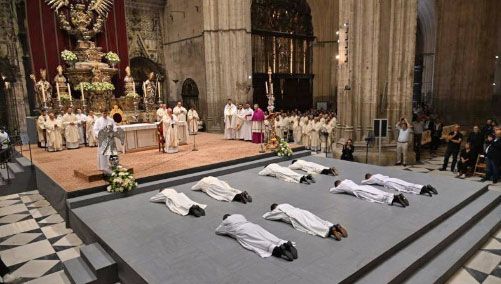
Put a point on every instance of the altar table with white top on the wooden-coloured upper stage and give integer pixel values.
(138, 137)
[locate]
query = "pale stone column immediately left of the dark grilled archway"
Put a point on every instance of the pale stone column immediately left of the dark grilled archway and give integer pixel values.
(227, 45)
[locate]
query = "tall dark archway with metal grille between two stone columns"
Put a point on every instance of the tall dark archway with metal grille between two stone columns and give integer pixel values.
(282, 36)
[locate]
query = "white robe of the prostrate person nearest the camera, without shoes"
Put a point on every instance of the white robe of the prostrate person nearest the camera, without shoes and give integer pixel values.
(251, 236)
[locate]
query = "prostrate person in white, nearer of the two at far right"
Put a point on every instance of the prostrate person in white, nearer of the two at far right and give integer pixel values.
(368, 193)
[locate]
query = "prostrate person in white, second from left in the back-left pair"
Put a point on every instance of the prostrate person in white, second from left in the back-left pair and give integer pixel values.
(221, 190)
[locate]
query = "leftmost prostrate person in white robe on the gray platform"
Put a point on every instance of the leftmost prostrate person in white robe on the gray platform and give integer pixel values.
(179, 203)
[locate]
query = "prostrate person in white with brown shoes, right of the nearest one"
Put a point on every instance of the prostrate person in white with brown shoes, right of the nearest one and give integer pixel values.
(305, 221)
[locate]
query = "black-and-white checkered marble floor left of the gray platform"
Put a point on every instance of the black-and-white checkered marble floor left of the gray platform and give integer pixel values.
(34, 240)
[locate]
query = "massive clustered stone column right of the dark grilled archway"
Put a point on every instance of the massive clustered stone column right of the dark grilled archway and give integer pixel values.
(376, 59)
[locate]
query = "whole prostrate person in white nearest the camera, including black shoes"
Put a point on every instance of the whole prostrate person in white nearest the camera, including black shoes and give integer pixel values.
(255, 238)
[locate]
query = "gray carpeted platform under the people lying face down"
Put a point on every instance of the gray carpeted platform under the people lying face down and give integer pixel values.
(152, 244)
